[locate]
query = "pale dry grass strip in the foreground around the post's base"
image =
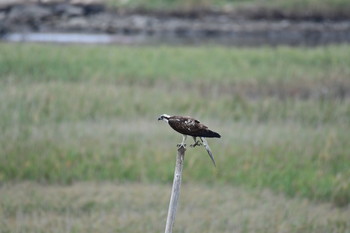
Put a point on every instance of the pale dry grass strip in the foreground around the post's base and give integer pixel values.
(133, 207)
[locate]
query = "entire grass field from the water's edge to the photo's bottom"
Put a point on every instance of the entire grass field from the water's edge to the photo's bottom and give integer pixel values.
(71, 114)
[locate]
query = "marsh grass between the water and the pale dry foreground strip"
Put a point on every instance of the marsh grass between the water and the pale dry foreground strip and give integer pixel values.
(88, 113)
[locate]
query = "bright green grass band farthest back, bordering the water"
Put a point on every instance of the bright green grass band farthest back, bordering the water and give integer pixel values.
(21, 63)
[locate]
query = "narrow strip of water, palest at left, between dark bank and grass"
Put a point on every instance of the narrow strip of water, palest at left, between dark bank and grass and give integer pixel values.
(245, 38)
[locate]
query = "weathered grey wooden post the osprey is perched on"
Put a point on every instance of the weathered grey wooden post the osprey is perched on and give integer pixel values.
(175, 192)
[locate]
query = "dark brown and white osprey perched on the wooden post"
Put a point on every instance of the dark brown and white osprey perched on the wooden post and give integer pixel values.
(192, 127)
